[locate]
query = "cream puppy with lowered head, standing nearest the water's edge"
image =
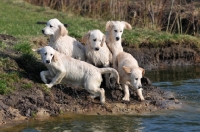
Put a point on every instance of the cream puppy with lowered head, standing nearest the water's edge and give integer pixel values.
(130, 74)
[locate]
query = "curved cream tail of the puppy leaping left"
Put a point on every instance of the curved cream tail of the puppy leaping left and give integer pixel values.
(113, 72)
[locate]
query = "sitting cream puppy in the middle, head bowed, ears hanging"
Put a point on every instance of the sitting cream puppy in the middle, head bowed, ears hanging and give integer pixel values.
(97, 52)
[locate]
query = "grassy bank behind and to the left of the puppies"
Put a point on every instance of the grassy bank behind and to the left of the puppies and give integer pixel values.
(18, 65)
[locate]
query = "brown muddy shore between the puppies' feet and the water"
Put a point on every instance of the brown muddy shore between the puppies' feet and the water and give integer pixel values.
(38, 103)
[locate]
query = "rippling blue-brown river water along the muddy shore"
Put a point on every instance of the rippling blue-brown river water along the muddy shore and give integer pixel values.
(184, 82)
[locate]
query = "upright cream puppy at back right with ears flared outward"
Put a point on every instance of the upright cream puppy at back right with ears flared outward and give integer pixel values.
(114, 31)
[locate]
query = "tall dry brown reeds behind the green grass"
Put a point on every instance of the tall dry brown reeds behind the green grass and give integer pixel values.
(174, 16)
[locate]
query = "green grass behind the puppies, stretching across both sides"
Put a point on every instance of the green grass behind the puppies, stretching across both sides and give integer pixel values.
(19, 19)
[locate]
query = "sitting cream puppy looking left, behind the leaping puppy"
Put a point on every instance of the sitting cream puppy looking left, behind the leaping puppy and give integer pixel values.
(61, 42)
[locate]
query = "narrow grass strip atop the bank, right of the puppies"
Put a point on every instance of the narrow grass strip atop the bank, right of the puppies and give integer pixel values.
(157, 38)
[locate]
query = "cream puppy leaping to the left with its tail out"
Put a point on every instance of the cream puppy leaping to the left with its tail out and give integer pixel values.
(64, 69)
